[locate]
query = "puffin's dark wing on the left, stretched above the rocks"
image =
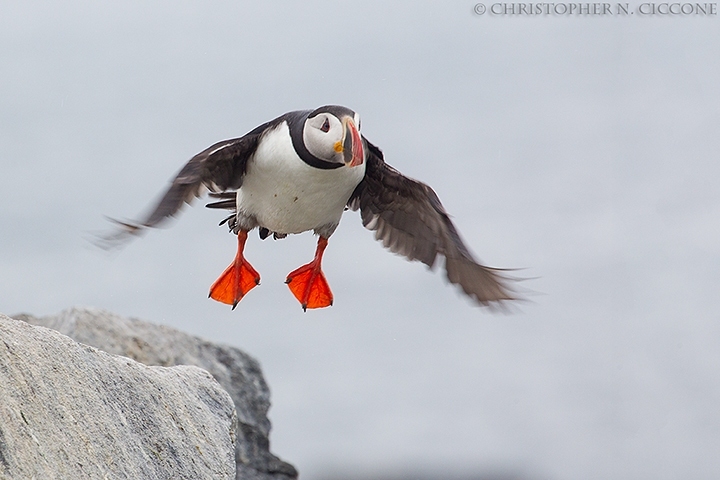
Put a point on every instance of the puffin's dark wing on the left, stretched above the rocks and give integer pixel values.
(218, 168)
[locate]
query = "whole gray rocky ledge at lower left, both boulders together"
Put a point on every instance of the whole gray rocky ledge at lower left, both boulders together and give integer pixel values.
(68, 410)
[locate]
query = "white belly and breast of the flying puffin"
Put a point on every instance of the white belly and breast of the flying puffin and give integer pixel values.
(286, 195)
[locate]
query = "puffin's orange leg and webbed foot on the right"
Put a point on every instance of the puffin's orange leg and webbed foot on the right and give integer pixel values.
(308, 283)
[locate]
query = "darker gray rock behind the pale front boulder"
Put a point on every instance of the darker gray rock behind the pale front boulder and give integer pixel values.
(153, 344)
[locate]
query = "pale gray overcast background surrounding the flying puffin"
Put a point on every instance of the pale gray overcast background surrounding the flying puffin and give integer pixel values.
(581, 148)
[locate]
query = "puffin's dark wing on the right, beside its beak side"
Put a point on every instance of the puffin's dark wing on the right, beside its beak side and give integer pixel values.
(409, 219)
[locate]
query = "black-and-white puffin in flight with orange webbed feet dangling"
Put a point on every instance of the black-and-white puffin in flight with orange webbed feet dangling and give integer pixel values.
(300, 172)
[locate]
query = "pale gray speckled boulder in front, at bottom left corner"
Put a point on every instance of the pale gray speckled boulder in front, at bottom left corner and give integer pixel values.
(71, 411)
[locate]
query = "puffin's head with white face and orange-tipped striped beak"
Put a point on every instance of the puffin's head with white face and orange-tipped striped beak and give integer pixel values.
(332, 133)
